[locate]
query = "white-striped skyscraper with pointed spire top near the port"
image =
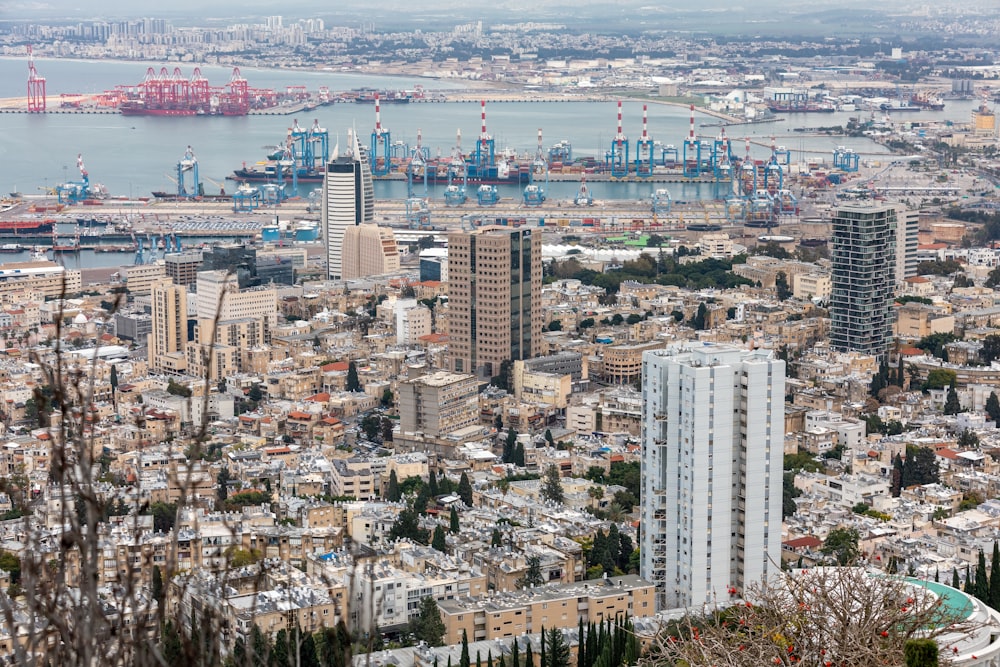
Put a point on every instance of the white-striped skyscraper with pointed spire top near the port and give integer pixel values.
(348, 201)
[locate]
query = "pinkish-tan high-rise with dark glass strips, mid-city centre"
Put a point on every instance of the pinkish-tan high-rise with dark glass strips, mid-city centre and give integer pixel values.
(494, 298)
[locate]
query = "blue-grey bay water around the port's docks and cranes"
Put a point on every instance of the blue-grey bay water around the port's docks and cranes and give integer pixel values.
(134, 156)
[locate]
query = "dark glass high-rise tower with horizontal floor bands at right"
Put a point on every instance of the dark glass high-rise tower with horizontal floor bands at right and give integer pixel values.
(863, 277)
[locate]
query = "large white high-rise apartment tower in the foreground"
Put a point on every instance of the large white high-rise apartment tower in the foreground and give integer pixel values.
(712, 446)
